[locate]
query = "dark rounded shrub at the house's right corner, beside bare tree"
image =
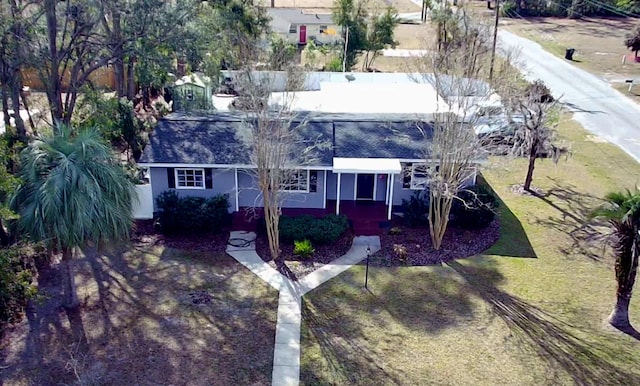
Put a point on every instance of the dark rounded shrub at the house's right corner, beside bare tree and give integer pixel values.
(475, 208)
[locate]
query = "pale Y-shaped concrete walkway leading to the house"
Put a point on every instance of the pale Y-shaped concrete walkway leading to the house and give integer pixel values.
(286, 355)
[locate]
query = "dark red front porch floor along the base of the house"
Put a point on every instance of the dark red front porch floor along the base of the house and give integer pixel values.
(367, 217)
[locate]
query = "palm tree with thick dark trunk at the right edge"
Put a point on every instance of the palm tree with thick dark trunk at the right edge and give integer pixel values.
(623, 212)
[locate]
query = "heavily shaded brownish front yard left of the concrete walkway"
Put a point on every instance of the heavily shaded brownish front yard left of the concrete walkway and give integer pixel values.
(151, 315)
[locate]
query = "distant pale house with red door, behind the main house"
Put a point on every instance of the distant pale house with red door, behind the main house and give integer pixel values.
(297, 27)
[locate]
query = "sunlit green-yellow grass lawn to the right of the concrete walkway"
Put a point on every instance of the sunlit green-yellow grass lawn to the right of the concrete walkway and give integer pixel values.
(532, 310)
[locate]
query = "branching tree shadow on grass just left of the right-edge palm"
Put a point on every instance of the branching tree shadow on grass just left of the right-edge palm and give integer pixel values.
(573, 208)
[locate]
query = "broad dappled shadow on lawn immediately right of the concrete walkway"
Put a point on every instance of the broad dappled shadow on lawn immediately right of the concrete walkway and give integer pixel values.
(338, 318)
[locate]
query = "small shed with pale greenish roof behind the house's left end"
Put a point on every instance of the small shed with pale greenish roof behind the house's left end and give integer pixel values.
(192, 91)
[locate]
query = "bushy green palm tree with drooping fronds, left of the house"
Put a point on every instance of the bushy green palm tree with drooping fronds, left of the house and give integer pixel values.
(73, 192)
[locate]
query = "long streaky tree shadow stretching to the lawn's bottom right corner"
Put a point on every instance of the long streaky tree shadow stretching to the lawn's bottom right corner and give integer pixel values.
(586, 363)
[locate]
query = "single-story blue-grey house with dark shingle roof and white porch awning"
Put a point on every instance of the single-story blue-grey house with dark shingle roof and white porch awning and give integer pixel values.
(377, 158)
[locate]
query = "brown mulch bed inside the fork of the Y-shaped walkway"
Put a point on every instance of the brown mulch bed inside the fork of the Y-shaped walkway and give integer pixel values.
(295, 267)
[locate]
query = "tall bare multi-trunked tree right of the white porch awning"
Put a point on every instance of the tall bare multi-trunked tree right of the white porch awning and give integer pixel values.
(457, 70)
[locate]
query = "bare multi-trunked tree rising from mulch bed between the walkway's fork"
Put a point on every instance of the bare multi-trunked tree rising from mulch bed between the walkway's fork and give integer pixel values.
(280, 153)
